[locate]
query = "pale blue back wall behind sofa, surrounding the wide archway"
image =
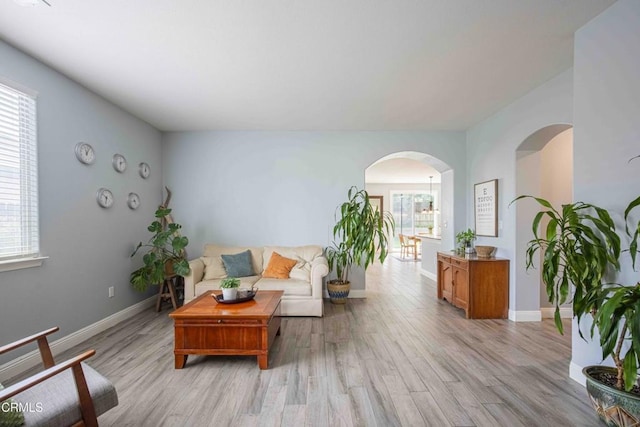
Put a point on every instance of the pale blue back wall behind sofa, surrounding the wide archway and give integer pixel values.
(282, 188)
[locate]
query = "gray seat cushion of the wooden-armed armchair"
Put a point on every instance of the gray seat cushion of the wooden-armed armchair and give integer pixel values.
(58, 398)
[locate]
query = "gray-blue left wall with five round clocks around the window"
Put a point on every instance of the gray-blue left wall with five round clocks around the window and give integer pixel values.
(88, 247)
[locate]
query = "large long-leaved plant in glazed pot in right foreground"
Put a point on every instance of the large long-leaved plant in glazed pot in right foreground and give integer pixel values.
(579, 246)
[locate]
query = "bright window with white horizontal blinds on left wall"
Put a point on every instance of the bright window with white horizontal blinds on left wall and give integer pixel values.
(19, 236)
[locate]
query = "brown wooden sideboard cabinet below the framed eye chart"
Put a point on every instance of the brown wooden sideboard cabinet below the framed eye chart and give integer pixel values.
(480, 286)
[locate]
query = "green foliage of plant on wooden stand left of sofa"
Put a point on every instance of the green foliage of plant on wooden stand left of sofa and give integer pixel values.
(165, 254)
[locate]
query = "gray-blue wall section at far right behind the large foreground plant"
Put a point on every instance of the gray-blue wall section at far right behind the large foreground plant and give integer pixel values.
(607, 124)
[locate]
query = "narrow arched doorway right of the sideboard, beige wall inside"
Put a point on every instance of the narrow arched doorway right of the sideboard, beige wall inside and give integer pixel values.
(544, 168)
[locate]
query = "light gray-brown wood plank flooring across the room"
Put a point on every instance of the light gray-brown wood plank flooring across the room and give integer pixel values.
(398, 358)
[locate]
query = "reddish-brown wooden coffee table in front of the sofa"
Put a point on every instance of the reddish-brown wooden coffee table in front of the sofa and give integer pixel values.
(204, 326)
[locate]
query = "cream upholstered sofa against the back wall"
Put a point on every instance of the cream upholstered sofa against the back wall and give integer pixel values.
(302, 290)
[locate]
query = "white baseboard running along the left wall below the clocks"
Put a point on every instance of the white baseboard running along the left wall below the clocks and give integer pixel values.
(31, 359)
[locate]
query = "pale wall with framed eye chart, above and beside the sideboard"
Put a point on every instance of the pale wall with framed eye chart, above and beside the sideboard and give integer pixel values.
(491, 154)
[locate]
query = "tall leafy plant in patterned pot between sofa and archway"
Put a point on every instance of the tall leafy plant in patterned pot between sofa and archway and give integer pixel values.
(362, 232)
